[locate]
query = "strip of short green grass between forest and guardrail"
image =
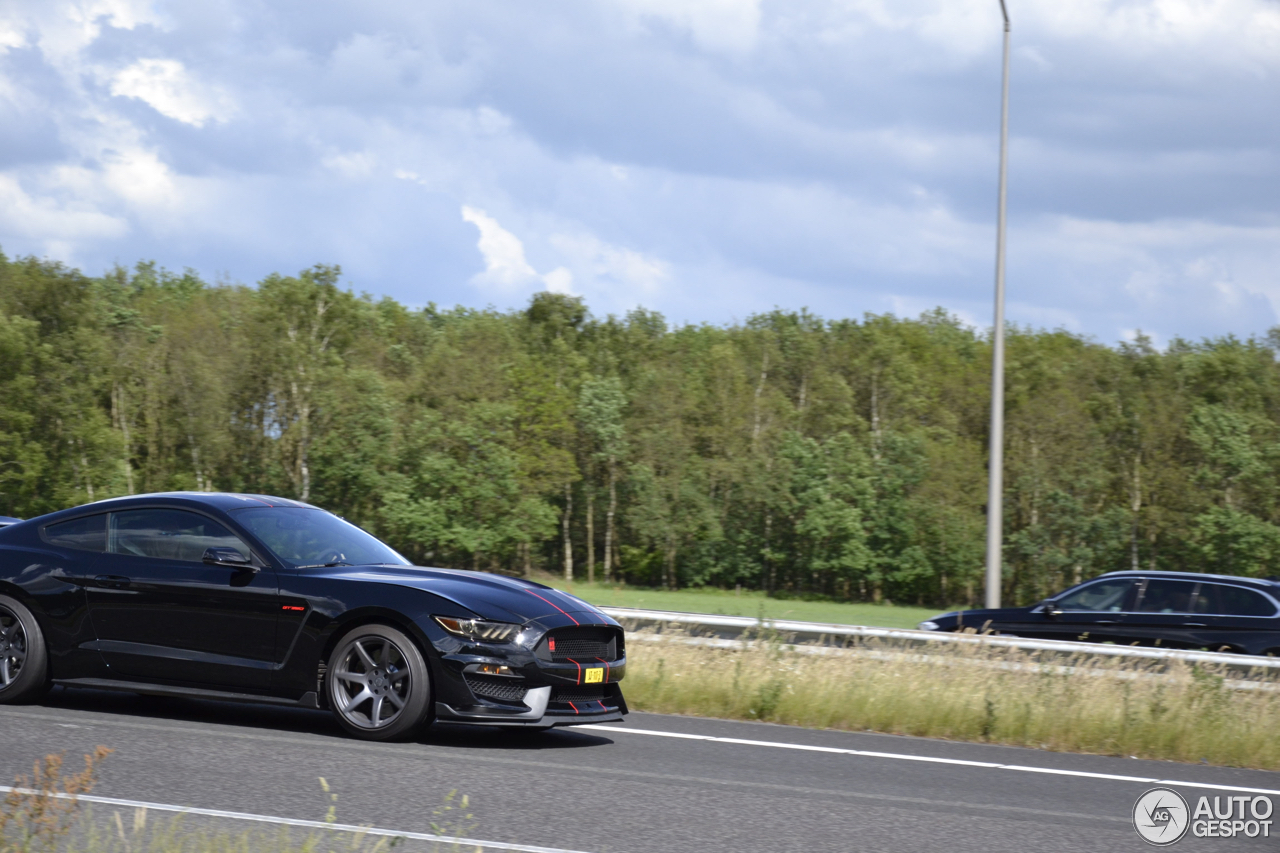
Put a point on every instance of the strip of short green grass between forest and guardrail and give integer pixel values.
(746, 604)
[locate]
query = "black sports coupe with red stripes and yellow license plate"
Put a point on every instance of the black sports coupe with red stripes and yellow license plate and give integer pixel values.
(259, 599)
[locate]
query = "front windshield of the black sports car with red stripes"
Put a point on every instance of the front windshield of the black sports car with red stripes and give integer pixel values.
(309, 539)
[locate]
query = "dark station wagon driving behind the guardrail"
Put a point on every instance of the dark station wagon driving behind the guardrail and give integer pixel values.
(1171, 609)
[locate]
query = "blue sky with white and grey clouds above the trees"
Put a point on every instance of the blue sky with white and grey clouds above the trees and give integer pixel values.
(708, 159)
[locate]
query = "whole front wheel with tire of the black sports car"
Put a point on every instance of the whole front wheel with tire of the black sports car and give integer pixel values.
(378, 683)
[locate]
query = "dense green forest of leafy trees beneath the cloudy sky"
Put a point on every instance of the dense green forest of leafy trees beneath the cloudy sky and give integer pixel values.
(798, 455)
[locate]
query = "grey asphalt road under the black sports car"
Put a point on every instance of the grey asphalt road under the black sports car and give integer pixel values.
(615, 792)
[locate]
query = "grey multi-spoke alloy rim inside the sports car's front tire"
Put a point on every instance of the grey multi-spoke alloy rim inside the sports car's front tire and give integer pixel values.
(372, 682)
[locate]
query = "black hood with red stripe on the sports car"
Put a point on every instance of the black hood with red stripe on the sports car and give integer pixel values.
(497, 597)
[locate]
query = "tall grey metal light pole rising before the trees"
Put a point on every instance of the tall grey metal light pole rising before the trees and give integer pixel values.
(996, 455)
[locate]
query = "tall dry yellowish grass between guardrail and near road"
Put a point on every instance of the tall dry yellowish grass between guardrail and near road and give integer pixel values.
(1095, 705)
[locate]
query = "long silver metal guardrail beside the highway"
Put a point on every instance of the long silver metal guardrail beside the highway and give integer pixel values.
(844, 636)
